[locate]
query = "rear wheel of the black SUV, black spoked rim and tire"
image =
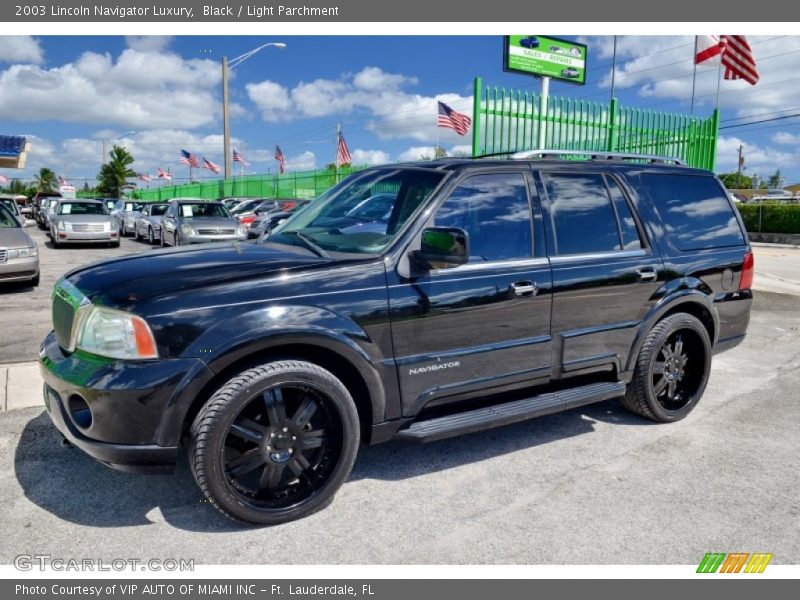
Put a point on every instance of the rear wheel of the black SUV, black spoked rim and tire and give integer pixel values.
(671, 370)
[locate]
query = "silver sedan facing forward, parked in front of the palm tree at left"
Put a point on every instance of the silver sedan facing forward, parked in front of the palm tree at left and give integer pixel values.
(82, 221)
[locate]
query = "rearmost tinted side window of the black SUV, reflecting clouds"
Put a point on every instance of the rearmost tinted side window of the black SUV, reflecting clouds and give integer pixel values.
(695, 211)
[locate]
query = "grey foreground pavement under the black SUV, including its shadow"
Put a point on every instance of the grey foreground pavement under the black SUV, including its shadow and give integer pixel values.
(594, 485)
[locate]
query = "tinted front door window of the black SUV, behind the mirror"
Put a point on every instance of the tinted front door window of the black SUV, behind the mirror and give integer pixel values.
(494, 211)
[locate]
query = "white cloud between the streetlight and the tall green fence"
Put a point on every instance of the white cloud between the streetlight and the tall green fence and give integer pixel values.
(390, 111)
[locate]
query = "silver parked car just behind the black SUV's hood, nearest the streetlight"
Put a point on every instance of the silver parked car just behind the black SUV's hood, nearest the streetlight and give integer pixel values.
(194, 221)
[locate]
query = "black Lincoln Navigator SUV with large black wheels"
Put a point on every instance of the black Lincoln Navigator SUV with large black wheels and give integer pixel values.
(414, 301)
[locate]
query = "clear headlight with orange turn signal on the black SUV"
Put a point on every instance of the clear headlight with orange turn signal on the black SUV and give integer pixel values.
(116, 334)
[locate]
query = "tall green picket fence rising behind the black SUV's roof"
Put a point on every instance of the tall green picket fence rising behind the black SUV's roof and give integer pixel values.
(510, 120)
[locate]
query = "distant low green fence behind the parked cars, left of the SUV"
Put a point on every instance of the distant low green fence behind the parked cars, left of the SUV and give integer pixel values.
(302, 184)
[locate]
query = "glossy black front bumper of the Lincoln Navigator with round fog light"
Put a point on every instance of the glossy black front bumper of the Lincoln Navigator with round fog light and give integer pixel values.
(131, 403)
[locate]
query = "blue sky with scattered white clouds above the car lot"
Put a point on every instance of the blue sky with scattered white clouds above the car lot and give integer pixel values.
(156, 95)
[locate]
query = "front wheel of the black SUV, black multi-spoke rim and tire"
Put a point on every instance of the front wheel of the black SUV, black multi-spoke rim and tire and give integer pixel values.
(260, 414)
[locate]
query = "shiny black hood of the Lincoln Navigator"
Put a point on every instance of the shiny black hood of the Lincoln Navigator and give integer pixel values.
(123, 282)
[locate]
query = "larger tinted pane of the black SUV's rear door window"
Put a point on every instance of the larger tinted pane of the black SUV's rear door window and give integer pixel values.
(581, 213)
